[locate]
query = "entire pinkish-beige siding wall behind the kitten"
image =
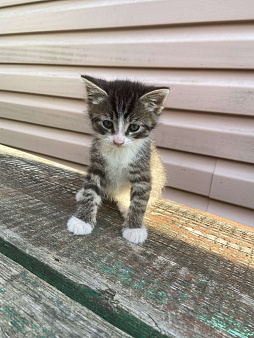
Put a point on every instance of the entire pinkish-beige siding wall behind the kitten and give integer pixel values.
(202, 50)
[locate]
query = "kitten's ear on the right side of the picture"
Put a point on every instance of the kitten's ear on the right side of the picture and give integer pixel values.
(154, 100)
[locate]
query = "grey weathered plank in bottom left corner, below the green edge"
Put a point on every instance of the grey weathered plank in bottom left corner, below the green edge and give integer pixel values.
(31, 307)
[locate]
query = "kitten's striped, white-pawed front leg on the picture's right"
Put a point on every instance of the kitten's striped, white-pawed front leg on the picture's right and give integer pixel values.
(134, 229)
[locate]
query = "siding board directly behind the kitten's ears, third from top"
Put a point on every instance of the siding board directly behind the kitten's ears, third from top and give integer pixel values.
(228, 92)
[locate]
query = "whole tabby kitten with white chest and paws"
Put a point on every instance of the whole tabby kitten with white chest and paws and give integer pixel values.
(124, 163)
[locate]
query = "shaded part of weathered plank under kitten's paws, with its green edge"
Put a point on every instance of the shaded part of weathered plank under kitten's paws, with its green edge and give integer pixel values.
(164, 287)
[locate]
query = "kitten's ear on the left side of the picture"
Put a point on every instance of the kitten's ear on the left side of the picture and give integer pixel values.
(95, 94)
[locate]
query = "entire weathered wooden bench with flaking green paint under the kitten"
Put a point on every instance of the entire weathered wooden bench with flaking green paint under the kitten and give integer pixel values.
(193, 277)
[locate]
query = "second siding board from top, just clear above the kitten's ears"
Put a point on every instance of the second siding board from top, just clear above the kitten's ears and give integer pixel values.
(225, 47)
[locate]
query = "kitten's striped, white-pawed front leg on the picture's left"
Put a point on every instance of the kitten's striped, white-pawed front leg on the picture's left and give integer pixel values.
(88, 198)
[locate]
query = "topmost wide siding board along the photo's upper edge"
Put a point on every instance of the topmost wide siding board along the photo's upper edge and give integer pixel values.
(94, 14)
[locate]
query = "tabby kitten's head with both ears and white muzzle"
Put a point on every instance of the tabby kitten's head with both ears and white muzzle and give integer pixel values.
(123, 111)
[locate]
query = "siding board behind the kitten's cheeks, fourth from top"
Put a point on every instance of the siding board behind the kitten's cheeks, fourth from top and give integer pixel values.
(180, 130)
